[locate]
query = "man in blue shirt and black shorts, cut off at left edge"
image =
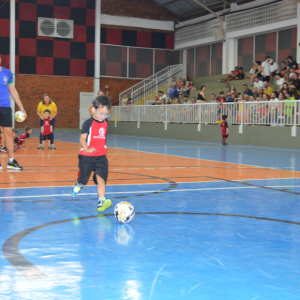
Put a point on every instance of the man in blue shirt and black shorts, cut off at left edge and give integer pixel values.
(7, 87)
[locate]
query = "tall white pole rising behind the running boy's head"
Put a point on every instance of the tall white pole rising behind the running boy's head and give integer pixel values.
(97, 47)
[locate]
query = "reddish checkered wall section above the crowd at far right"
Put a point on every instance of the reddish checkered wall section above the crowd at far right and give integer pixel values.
(266, 45)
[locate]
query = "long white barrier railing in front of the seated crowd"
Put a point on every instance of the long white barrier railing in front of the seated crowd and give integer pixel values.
(279, 113)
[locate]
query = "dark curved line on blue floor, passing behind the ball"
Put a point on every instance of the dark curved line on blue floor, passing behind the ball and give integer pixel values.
(11, 252)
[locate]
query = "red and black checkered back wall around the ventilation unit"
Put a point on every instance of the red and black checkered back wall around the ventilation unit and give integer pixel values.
(75, 57)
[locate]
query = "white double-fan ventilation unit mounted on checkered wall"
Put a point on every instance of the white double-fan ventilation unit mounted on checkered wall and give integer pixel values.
(56, 28)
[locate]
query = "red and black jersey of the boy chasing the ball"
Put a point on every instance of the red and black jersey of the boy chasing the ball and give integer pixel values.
(96, 137)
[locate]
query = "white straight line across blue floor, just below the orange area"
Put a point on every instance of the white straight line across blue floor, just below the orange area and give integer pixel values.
(139, 192)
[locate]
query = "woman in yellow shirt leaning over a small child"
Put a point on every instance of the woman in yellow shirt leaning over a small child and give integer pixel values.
(47, 104)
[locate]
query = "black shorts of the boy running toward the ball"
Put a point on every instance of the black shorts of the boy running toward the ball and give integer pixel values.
(89, 164)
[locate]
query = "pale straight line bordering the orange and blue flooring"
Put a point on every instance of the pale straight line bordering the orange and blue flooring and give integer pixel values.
(112, 185)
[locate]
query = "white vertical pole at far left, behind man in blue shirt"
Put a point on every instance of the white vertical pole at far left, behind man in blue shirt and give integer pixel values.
(12, 49)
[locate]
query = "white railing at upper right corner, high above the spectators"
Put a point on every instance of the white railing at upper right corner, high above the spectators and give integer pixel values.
(259, 16)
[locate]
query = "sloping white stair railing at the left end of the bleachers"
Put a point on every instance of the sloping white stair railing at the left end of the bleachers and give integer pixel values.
(151, 85)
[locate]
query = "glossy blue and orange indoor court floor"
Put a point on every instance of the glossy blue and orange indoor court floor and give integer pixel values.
(211, 222)
